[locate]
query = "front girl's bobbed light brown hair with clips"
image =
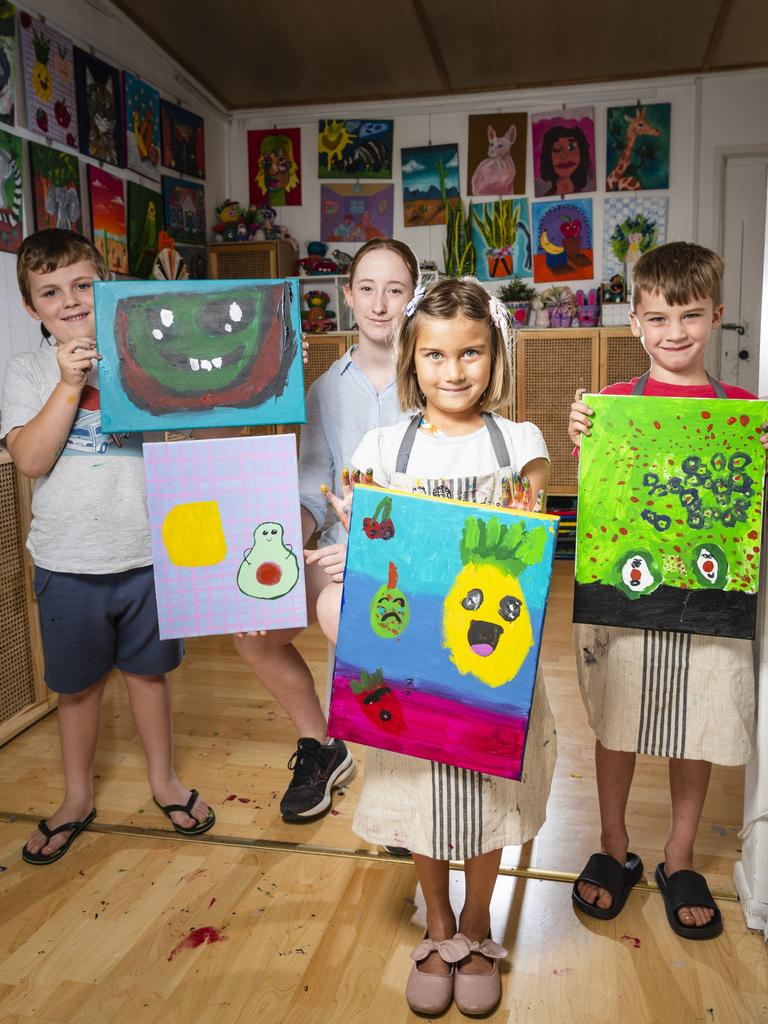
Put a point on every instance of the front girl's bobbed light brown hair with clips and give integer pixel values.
(446, 300)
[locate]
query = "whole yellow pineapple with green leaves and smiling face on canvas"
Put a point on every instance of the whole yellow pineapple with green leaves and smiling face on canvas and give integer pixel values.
(487, 624)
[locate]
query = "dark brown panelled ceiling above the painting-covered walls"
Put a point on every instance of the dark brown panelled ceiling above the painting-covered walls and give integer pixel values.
(327, 52)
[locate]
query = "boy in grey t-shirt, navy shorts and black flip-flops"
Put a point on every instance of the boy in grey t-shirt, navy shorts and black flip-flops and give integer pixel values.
(91, 543)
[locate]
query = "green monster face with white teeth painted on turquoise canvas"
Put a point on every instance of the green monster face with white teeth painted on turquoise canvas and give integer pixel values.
(187, 351)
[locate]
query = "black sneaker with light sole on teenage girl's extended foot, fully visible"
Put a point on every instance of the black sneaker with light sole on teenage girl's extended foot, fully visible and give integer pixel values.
(318, 770)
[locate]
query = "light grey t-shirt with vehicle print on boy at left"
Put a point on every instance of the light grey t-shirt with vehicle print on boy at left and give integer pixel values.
(90, 513)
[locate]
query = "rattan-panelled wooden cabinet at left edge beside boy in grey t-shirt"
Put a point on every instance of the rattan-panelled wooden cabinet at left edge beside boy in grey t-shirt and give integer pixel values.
(24, 696)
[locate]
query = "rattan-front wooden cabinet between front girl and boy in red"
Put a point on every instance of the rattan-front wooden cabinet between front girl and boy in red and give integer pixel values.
(551, 365)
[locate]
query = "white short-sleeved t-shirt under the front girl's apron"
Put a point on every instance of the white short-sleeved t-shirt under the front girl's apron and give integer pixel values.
(451, 459)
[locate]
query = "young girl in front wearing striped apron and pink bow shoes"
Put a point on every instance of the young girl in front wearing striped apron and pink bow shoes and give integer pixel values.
(453, 366)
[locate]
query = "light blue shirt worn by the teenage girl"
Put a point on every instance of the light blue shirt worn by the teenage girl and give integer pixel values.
(342, 407)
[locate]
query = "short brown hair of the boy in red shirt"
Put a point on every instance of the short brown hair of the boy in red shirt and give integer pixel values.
(681, 272)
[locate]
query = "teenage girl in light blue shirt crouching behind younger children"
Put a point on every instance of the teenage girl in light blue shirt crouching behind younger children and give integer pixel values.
(356, 395)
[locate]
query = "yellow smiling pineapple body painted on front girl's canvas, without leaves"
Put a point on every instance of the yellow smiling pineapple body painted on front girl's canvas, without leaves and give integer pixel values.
(486, 624)
